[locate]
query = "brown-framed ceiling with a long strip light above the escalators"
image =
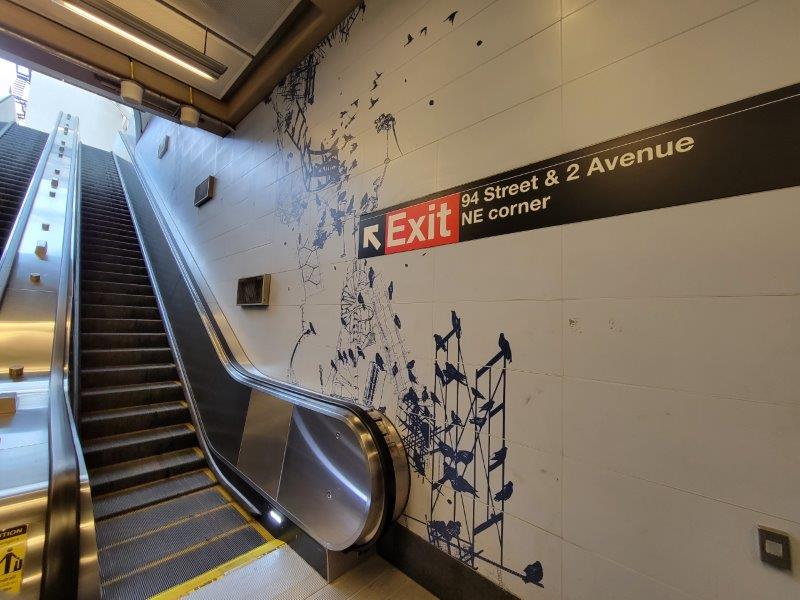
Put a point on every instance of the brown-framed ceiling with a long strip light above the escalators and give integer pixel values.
(230, 53)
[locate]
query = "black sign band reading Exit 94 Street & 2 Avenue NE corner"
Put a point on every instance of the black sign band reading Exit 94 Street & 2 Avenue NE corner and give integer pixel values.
(748, 146)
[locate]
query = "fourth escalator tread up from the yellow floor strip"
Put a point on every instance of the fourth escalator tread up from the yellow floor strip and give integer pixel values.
(116, 503)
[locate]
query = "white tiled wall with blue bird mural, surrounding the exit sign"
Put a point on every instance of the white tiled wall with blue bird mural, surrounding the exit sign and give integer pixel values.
(651, 396)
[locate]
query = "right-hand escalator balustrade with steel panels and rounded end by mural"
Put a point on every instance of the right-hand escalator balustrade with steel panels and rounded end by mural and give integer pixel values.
(368, 484)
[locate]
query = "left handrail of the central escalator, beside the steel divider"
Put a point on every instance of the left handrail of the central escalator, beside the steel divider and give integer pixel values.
(61, 551)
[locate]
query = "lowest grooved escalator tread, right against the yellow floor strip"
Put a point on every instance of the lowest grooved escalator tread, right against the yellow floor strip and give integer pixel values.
(182, 567)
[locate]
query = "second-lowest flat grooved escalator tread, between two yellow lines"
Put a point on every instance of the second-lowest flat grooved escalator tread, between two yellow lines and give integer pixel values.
(125, 558)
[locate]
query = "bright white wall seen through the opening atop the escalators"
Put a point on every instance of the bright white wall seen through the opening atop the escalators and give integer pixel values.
(100, 119)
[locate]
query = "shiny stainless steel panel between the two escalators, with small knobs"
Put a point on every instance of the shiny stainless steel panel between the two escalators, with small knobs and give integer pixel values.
(26, 337)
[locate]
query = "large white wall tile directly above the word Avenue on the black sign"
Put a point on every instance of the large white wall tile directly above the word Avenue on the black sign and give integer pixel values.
(697, 70)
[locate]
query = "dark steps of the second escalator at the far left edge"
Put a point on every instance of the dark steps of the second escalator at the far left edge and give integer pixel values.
(20, 149)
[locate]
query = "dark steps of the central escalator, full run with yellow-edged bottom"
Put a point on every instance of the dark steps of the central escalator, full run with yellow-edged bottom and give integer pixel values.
(161, 516)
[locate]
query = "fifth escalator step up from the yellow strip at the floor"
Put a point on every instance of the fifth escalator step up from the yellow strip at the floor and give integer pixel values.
(123, 475)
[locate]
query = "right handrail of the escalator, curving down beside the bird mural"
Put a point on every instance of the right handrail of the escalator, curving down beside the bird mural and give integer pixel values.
(285, 391)
